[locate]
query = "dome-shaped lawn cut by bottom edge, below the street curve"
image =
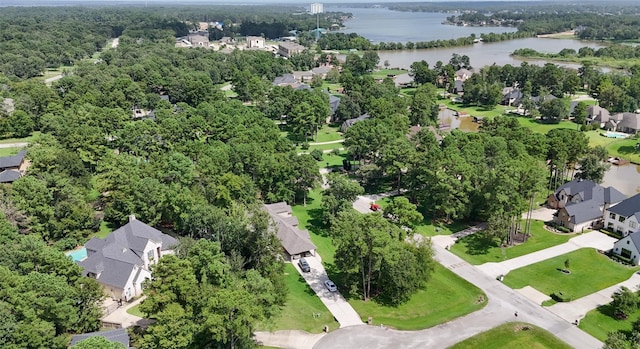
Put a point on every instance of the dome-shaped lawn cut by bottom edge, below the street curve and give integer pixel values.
(513, 335)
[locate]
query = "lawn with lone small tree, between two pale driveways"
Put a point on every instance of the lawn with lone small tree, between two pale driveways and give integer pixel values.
(590, 272)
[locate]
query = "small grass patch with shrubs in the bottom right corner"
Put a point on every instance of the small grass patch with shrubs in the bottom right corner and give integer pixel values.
(600, 321)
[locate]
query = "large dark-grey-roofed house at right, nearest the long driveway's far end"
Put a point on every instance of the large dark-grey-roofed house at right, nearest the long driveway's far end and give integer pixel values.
(581, 204)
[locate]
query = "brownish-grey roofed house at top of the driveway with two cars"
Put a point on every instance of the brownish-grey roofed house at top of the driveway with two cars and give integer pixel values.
(295, 242)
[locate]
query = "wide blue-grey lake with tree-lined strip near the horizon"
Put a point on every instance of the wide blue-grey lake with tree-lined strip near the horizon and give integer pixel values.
(381, 24)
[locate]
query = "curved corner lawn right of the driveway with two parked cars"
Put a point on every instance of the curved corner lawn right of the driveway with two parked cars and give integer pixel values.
(446, 297)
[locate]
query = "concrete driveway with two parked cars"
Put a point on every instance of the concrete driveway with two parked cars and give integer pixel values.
(337, 305)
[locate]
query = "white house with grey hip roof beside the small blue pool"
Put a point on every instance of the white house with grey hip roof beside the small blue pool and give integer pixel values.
(121, 261)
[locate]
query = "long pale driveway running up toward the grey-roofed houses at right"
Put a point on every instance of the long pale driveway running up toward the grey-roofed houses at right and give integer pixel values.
(594, 239)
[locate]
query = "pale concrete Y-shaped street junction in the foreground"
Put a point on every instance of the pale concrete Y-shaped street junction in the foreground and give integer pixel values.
(502, 305)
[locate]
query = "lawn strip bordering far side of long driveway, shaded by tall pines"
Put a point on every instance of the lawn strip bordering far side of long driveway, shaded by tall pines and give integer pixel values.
(477, 249)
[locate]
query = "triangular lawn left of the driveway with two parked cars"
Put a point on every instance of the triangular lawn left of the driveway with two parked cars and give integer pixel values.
(302, 303)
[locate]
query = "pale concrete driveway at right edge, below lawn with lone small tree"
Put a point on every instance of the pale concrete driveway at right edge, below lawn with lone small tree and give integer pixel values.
(575, 310)
